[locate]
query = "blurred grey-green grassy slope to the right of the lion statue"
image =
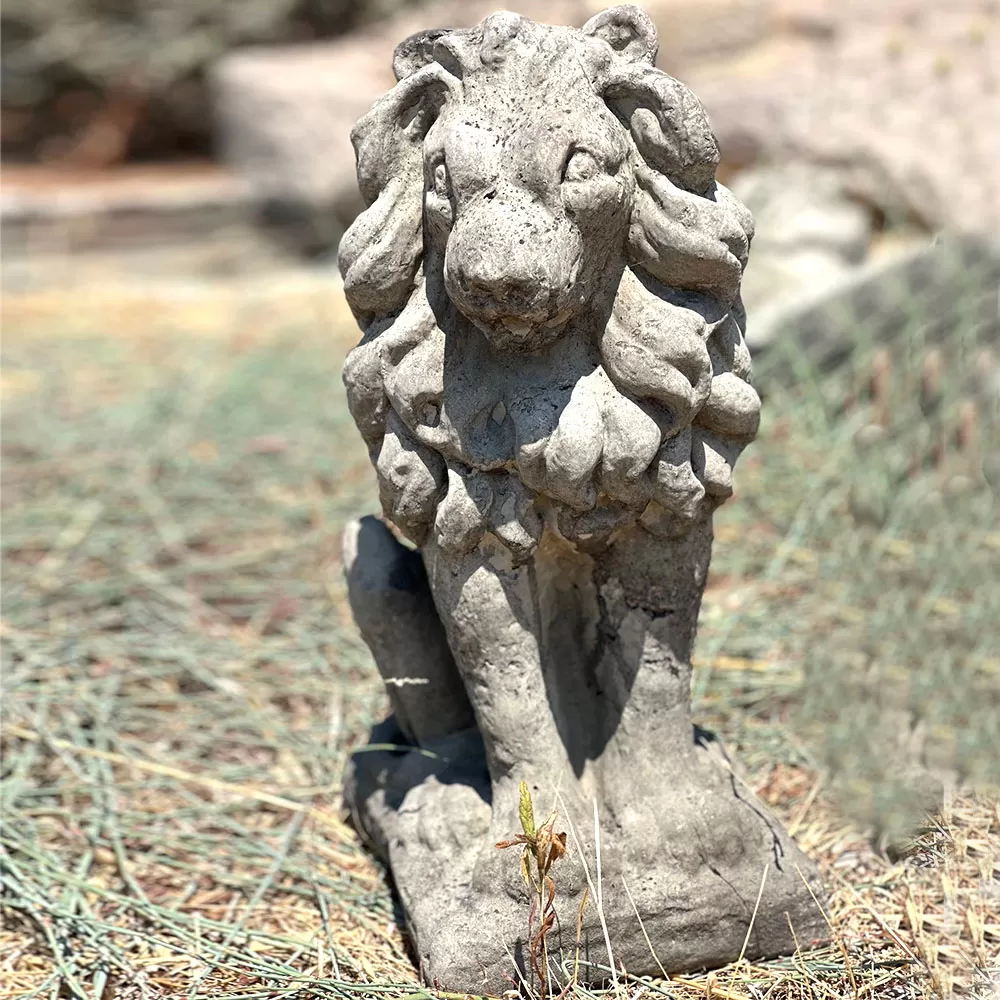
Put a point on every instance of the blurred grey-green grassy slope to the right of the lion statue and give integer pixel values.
(864, 547)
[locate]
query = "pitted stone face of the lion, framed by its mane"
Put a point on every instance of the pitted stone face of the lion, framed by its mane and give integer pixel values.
(530, 210)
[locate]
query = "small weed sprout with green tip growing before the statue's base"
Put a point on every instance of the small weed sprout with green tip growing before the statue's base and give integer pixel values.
(541, 848)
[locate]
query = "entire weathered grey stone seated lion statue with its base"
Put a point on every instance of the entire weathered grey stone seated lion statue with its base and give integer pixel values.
(554, 386)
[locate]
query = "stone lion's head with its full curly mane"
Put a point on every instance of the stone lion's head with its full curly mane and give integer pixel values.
(547, 277)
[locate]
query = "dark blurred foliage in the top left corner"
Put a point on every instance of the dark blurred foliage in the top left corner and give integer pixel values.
(97, 81)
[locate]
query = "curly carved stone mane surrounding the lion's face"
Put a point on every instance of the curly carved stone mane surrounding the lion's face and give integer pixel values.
(639, 408)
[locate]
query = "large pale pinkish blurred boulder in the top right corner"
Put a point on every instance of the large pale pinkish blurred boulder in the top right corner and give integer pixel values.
(901, 96)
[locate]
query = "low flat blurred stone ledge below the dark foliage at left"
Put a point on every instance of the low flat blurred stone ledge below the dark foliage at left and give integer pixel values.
(136, 226)
